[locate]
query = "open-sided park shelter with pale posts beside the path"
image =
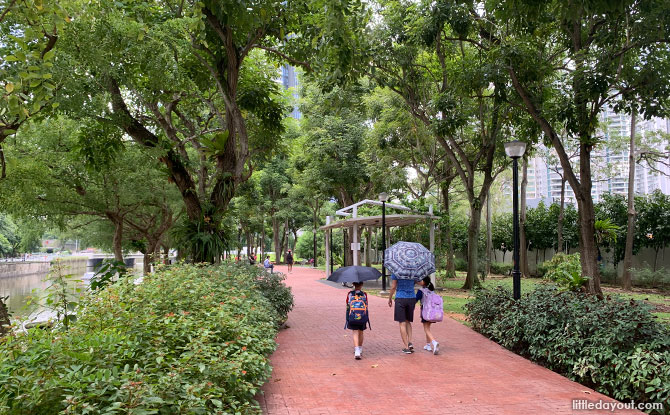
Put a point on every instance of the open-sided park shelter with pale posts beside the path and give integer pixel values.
(356, 224)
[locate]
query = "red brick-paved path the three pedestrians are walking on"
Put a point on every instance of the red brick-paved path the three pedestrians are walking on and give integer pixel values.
(315, 371)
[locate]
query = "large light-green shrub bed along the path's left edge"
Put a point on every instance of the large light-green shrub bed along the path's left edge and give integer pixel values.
(188, 339)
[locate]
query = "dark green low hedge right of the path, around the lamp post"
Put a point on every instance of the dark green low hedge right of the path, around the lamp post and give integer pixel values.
(612, 345)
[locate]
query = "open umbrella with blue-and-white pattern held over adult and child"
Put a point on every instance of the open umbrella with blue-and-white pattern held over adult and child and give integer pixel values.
(409, 260)
